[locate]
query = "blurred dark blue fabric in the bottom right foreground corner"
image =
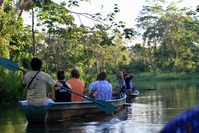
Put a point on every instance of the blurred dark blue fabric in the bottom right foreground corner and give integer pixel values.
(186, 122)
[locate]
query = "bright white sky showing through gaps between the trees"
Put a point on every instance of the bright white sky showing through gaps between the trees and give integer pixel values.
(129, 9)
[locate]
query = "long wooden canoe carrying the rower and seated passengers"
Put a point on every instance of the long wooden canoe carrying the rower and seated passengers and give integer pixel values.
(61, 111)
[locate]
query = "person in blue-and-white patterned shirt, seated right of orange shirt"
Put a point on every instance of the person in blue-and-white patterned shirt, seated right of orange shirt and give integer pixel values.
(102, 89)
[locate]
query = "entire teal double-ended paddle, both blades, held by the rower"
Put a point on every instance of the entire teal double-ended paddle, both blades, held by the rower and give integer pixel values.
(100, 104)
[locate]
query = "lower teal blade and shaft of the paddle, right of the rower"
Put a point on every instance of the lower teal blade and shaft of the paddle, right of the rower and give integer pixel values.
(100, 104)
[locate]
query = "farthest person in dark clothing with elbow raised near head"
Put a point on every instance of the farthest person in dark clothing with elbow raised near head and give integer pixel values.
(129, 84)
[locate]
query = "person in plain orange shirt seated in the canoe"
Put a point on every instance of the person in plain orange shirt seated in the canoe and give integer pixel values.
(77, 85)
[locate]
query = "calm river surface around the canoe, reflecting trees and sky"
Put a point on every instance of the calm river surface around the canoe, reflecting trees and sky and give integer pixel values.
(157, 103)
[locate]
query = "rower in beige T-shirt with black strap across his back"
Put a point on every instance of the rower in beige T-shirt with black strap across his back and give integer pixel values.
(35, 82)
